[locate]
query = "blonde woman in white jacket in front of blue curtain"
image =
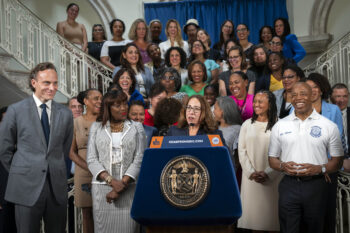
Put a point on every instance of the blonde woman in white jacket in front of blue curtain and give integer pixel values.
(173, 33)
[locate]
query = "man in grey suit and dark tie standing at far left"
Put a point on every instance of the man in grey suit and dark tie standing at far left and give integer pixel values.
(35, 136)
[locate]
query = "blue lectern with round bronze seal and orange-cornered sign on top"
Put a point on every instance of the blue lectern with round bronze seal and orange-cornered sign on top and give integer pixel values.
(221, 203)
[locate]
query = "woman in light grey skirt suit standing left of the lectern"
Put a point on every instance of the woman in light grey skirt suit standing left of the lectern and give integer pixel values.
(114, 156)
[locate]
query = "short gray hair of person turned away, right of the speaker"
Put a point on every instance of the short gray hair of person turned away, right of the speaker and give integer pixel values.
(231, 113)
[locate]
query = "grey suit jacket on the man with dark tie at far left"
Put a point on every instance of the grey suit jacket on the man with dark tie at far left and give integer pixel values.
(33, 160)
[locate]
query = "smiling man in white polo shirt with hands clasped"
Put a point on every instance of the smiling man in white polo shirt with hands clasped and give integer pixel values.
(299, 145)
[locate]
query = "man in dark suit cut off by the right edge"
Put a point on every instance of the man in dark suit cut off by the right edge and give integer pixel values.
(340, 97)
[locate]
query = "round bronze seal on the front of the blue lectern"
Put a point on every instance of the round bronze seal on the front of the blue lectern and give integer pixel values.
(184, 181)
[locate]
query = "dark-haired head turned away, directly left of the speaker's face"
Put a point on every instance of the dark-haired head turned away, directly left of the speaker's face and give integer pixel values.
(167, 113)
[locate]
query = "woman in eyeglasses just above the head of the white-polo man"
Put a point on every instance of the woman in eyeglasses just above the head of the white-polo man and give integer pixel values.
(291, 75)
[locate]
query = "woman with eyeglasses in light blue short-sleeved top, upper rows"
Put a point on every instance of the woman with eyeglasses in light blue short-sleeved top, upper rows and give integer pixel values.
(199, 52)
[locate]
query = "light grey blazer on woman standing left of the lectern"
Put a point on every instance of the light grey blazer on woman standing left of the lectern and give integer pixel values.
(99, 150)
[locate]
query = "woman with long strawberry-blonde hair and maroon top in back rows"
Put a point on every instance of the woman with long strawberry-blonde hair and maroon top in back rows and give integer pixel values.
(139, 33)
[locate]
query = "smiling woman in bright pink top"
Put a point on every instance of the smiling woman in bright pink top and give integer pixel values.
(238, 86)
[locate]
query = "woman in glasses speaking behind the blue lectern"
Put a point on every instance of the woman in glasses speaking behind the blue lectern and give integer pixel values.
(195, 119)
